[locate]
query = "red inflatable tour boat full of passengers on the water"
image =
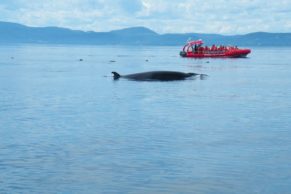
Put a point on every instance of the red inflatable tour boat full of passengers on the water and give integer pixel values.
(196, 50)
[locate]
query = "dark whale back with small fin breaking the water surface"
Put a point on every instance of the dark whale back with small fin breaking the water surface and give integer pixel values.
(156, 76)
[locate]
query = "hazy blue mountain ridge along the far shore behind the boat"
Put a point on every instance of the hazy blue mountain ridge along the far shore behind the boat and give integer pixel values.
(19, 33)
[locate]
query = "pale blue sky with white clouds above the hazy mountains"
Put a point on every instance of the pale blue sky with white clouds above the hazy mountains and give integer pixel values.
(162, 16)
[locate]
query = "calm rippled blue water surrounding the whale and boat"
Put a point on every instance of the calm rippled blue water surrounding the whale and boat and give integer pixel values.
(67, 127)
